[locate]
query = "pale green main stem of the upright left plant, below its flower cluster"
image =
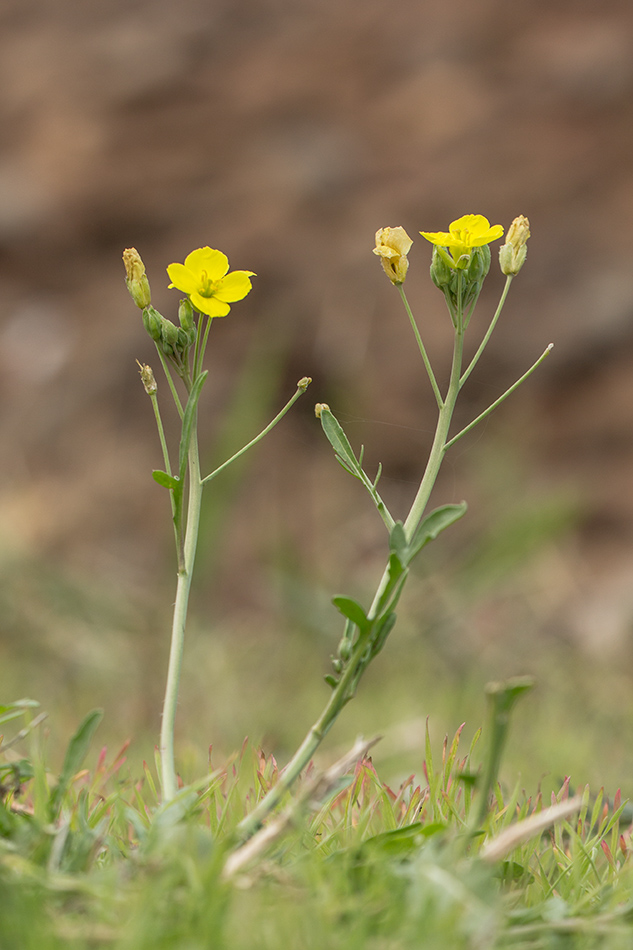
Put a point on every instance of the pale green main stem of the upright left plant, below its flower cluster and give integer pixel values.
(168, 770)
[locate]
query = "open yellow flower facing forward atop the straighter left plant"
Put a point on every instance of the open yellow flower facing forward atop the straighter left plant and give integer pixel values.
(205, 279)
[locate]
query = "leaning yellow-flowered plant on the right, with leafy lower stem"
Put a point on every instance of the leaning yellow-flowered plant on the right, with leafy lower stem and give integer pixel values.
(460, 275)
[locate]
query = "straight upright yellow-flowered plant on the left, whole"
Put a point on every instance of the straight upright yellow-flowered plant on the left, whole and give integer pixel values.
(211, 289)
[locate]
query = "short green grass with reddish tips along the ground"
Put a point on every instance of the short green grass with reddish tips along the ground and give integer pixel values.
(90, 859)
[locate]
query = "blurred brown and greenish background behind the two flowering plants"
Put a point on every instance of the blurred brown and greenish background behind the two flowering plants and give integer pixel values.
(286, 133)
